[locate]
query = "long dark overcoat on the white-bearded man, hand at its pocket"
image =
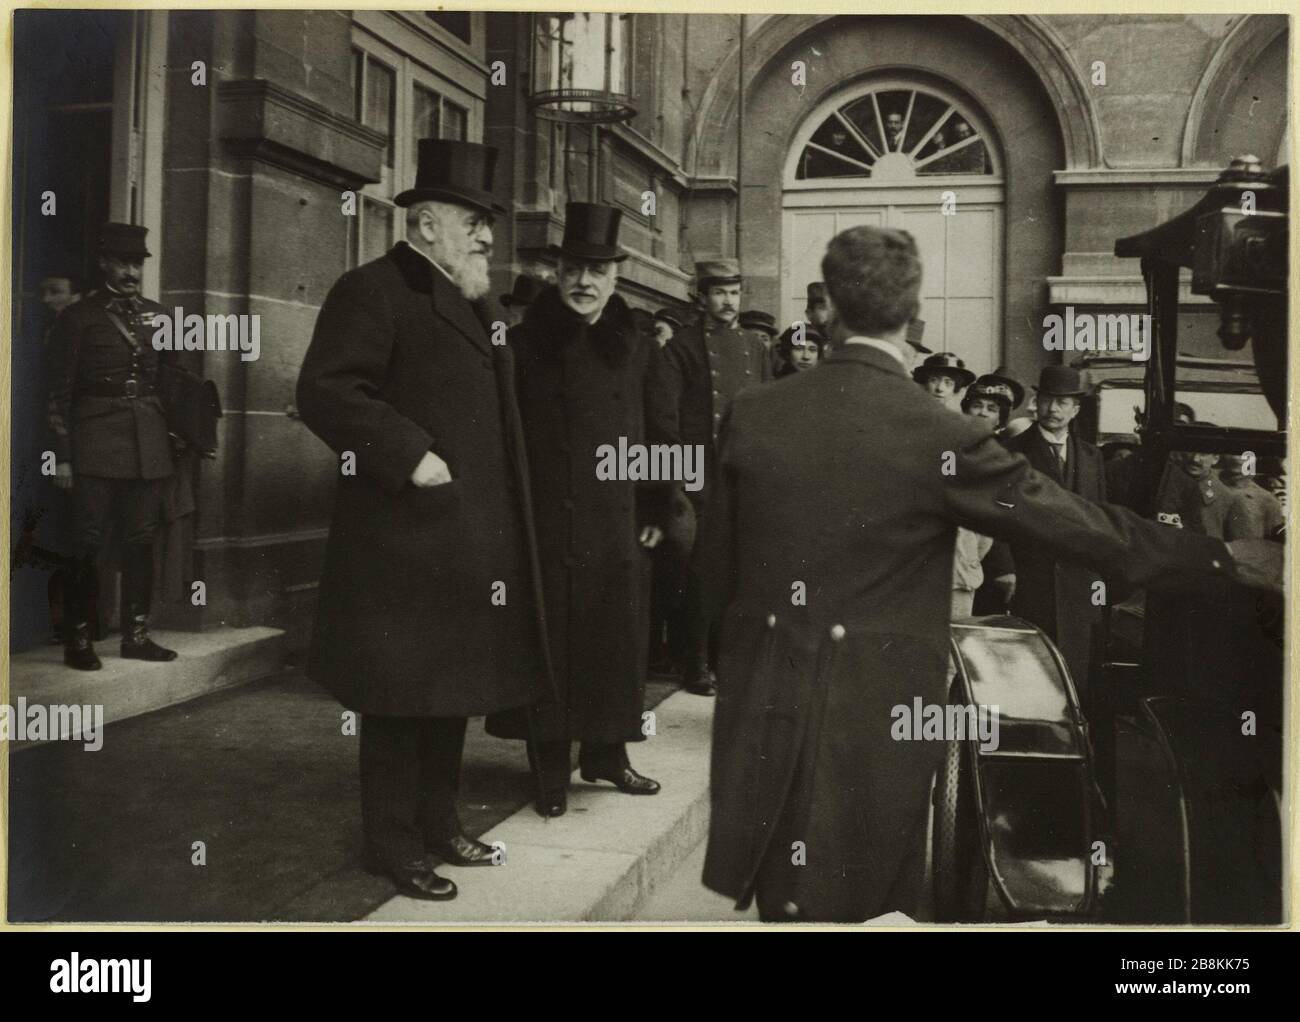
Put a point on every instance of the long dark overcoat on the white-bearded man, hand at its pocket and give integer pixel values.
(427, 604)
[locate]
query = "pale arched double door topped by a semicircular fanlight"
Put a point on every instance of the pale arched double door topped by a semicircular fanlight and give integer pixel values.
(904, 153)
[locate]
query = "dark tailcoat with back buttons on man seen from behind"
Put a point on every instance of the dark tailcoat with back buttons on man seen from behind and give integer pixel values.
(866, 523)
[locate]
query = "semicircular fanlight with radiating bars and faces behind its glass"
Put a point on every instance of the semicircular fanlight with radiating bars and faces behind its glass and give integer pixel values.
(896, 135)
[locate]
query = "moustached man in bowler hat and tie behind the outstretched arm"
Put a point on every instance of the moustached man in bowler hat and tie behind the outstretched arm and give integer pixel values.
(1060, 597)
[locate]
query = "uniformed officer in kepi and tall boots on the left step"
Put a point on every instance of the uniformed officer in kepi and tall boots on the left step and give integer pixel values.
(112, 448)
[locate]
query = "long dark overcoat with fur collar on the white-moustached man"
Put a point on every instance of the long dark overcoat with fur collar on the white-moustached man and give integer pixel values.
(583, 387)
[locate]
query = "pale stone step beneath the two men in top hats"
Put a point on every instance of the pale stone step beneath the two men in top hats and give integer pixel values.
(606, 858)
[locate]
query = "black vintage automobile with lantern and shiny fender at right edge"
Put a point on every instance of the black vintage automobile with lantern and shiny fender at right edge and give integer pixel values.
(1160, 802)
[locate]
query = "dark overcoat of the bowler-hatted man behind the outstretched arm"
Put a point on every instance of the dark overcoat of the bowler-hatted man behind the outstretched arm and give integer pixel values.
(1059, 595)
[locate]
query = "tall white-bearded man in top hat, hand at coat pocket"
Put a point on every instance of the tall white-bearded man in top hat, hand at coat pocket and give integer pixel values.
(427, 612)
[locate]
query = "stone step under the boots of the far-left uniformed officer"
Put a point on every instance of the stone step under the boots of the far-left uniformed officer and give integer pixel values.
(207, 662)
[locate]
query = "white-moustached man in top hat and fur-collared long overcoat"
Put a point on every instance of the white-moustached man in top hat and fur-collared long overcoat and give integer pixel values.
(588, 379)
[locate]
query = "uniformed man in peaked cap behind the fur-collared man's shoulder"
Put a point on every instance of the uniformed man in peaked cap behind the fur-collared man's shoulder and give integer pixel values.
(709, 362)
